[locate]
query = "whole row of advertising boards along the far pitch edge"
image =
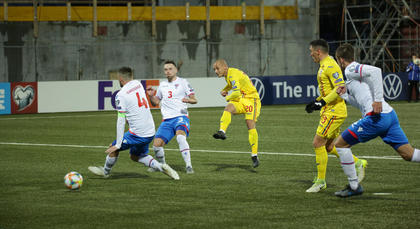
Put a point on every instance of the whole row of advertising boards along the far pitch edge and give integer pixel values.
(97, 95)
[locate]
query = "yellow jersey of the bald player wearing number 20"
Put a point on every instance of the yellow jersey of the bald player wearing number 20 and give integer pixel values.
(240, 84)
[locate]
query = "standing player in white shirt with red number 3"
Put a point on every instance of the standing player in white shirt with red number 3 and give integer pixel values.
(173, 96)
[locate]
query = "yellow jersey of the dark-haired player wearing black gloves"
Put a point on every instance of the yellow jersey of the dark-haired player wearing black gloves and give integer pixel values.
(329, 77)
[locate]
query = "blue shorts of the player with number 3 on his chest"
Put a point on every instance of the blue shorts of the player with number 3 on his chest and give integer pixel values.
(168, 127)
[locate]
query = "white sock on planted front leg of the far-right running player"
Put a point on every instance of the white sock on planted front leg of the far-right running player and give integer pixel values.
(347, 163)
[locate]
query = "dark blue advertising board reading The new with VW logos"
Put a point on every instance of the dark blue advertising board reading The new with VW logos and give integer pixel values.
(303, 89)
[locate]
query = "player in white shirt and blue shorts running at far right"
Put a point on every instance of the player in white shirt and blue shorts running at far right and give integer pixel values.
(364, 90)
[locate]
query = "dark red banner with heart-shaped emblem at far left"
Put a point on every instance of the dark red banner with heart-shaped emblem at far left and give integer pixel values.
(24, 97)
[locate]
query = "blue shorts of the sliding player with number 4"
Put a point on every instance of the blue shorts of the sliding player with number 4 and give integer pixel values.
(138, 146)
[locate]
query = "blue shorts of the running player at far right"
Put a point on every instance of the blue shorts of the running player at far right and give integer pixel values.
(385, 126)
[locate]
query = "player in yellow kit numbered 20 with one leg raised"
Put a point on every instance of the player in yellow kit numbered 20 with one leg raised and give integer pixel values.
(244, 99)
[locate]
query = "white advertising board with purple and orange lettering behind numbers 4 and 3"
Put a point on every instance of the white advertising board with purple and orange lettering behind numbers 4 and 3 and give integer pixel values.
(68, 96)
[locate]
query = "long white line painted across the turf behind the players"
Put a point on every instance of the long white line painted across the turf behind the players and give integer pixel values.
(197, 150)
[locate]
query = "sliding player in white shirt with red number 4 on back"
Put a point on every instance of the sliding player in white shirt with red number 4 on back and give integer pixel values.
(132, 106)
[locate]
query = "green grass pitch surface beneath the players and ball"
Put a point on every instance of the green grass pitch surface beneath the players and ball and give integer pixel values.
(224, 192)
